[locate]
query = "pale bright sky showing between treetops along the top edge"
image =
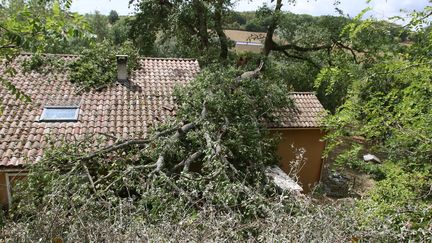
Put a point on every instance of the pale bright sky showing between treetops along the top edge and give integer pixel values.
(381, 8)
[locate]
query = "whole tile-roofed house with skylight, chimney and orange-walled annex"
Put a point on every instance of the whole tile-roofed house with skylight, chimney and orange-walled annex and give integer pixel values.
(126, 110)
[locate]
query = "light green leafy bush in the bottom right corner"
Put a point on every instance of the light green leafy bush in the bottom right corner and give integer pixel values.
(392, 200)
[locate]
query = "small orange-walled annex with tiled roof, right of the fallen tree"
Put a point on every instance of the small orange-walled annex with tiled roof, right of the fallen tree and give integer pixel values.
(301, 138)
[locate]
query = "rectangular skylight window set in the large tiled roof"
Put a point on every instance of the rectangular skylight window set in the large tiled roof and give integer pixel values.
(60, 113)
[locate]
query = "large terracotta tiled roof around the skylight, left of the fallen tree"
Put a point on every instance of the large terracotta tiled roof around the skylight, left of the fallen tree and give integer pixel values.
(122, 111)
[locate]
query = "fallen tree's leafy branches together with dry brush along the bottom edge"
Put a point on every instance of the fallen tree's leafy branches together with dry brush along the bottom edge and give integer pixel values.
(199, 177)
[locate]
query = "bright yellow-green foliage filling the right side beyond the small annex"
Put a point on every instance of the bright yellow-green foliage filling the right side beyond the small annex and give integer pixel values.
(386, 112)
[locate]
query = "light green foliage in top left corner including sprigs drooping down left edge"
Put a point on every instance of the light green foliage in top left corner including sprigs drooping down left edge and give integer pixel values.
(38, 27)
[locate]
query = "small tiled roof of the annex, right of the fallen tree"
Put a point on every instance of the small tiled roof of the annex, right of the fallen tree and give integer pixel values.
(306, 112)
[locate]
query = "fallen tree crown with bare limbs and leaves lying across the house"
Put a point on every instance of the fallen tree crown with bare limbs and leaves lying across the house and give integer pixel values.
(213, 153)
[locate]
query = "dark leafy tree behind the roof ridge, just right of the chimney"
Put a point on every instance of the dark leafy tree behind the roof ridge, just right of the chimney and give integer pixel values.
(187, 22)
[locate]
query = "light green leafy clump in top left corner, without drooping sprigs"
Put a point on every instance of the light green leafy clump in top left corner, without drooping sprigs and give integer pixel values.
(41, 26)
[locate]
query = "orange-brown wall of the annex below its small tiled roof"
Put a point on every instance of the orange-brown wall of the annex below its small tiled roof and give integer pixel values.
(309, 139)
